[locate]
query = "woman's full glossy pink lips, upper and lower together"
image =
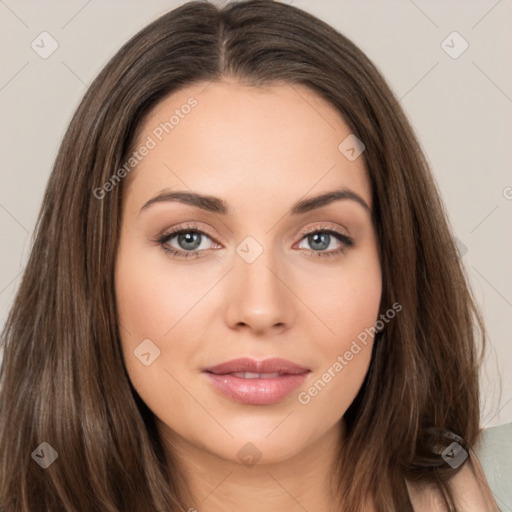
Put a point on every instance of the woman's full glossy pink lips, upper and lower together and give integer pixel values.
(239, 380)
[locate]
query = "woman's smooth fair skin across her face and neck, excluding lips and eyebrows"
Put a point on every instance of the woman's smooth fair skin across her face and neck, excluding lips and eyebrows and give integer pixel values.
(260, 150)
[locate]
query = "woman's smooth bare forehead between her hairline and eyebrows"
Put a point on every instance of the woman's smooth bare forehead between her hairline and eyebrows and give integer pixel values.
(273, 143)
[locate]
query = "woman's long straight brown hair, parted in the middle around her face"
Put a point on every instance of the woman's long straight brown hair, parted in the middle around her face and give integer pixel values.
(63, 379)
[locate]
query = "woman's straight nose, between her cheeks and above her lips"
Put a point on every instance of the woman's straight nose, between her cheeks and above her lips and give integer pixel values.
(259, 299)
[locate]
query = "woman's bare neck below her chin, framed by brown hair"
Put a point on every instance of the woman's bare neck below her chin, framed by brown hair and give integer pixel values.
(303, 481)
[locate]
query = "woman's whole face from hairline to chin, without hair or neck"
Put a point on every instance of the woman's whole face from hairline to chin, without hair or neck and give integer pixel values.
(259, 272)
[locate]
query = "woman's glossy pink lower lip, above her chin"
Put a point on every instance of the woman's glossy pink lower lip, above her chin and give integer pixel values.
(256, 391)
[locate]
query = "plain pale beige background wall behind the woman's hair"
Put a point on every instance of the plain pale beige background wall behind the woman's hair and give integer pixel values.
(460, 107)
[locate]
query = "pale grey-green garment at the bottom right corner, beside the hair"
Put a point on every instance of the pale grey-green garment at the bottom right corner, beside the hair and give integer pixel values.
(494, 452)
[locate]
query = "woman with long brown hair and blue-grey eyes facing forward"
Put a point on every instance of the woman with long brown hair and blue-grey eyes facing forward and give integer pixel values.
(243, 291)
